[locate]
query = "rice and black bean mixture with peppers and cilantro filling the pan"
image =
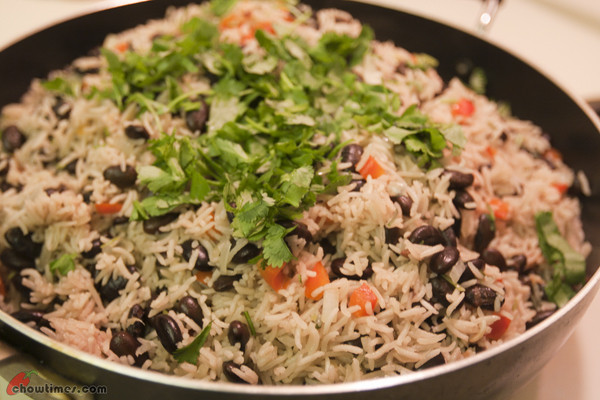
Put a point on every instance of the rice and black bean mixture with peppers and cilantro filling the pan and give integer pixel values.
(255, 192)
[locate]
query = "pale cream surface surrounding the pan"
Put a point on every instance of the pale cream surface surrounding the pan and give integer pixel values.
(561, 37)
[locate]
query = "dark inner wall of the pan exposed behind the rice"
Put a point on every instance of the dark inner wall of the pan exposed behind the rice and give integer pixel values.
(530, 95)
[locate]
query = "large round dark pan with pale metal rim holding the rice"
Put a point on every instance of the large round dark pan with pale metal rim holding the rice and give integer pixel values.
(496, 372)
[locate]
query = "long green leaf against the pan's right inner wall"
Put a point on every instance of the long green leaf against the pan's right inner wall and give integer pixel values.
(568, 266)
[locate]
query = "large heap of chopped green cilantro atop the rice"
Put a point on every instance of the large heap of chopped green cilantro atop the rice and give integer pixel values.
(260, 154)
